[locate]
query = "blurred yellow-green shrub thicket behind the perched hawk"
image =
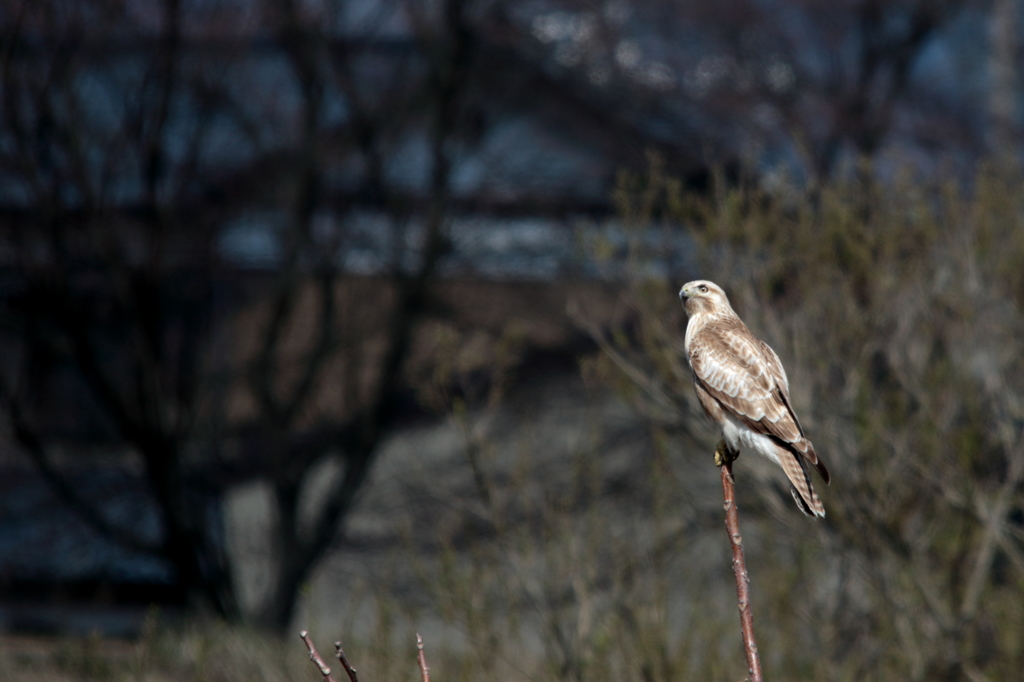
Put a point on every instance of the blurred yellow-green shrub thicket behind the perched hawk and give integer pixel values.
(897, 308)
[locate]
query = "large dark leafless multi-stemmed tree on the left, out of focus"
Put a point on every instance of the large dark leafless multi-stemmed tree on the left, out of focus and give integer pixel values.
(119, 282)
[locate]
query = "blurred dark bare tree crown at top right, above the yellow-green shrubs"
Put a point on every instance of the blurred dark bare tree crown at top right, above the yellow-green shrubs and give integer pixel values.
(827, 82)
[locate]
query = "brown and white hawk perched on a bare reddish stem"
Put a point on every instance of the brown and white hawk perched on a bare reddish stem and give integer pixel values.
(743, 388)
